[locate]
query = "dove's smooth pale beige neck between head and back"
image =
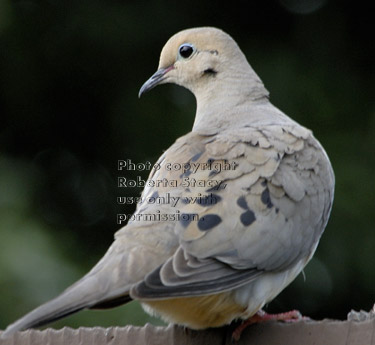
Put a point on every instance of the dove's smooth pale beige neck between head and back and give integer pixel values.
(227, 100)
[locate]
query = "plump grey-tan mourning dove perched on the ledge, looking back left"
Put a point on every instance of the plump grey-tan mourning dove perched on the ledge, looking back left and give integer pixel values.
(253, 192)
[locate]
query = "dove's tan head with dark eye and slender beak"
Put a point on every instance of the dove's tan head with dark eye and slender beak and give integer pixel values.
(194, 58)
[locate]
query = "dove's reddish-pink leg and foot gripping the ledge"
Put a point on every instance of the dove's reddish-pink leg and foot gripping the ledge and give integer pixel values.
(262, 316)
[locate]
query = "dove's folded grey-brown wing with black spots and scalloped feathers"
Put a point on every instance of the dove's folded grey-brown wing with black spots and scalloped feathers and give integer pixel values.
(258, 202)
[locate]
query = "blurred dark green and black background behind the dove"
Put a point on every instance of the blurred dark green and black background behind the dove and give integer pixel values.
(70, 72)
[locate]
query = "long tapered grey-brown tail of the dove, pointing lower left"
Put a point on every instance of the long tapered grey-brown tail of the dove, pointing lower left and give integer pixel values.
(106, 285)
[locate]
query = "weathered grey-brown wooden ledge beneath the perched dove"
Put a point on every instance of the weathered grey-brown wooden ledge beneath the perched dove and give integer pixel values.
(327, 332)
